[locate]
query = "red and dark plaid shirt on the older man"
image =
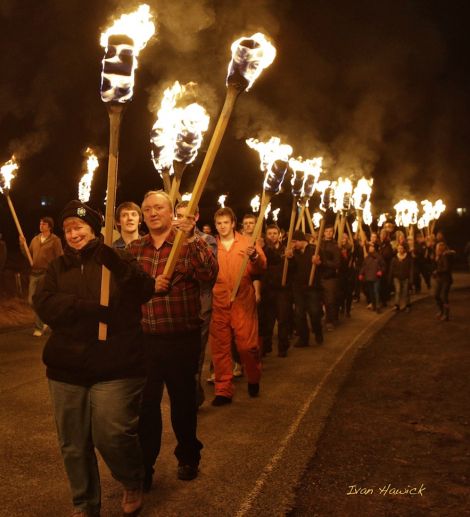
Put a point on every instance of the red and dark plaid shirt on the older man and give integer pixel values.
(178, 310)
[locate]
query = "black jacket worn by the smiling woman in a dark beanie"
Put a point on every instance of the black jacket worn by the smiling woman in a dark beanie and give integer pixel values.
(68, 301)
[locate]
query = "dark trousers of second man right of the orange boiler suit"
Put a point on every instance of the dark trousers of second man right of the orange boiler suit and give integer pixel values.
(307, 302)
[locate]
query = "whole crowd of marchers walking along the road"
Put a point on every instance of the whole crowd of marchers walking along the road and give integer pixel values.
(227, 292)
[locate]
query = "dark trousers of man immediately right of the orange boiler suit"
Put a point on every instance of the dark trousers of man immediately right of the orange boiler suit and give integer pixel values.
(276, 304)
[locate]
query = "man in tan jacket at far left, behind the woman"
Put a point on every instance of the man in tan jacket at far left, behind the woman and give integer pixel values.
(44, 248)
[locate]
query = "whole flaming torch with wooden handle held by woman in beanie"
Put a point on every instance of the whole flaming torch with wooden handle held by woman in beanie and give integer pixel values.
(122, 42)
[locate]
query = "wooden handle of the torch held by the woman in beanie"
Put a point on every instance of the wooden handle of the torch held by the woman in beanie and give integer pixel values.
(115, 114)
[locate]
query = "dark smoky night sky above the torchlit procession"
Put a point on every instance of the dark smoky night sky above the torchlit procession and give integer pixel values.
(379, 88)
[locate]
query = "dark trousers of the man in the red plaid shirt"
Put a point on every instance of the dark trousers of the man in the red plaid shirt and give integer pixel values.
(172, 360)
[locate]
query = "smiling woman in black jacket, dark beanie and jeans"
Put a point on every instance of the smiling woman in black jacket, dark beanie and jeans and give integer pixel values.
(95, 386)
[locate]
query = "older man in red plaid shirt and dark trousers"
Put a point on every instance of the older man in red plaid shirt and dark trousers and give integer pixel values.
(172, 329)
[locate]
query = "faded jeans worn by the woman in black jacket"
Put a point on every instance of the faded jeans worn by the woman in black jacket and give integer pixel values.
(104, 415)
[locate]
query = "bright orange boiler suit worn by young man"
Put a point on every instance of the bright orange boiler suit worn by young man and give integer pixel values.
(239, 317)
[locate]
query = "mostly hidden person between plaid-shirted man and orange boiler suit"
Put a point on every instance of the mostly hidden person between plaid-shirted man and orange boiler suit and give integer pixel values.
(206, 295)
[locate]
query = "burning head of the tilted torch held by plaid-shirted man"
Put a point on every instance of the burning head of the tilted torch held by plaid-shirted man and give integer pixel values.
(250, 56)
